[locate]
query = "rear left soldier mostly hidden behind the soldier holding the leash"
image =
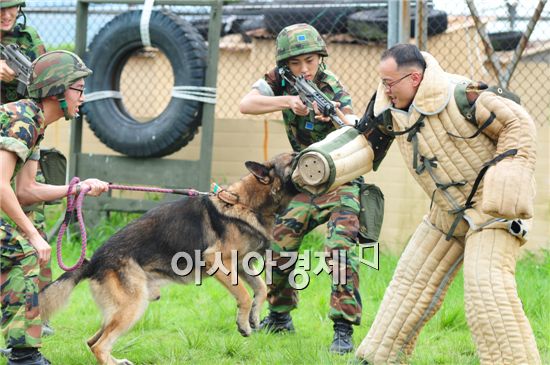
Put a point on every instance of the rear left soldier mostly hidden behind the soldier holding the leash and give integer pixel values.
(30, 44)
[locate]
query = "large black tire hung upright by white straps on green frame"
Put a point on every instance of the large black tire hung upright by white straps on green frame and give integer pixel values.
(109, 51)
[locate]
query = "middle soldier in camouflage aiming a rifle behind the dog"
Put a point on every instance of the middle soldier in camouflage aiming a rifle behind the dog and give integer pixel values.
(301, 49)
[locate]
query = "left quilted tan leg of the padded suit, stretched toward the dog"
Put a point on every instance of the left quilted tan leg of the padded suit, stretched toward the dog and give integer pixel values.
(425, 270)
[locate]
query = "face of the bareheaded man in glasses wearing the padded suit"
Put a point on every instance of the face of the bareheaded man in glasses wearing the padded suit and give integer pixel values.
(400, 84)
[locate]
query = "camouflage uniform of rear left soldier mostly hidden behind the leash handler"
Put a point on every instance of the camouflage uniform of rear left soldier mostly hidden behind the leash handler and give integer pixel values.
(31, 45)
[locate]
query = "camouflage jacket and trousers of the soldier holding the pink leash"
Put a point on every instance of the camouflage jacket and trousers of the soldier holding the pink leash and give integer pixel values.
(21, 130)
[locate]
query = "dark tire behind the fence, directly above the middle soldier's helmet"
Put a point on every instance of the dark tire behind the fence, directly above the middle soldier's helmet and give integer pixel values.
(327, 20)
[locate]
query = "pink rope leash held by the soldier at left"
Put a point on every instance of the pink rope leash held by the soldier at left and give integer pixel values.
(76, 203)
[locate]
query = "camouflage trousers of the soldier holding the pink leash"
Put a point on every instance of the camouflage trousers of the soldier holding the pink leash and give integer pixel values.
(19, 270)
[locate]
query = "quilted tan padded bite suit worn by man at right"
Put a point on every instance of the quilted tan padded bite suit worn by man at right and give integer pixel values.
(501, 331)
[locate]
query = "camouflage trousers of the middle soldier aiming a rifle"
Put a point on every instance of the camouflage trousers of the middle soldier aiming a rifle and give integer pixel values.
(339, 209)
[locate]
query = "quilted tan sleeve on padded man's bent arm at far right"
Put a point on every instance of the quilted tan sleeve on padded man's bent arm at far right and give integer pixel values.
(510, 185)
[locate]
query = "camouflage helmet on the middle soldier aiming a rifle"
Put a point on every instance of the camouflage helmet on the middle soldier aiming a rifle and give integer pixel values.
(299, 39)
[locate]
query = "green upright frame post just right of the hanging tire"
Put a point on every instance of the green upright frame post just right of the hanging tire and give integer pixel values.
(208, 111)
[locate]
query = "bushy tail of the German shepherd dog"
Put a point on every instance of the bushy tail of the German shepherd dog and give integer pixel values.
(56, 294)
